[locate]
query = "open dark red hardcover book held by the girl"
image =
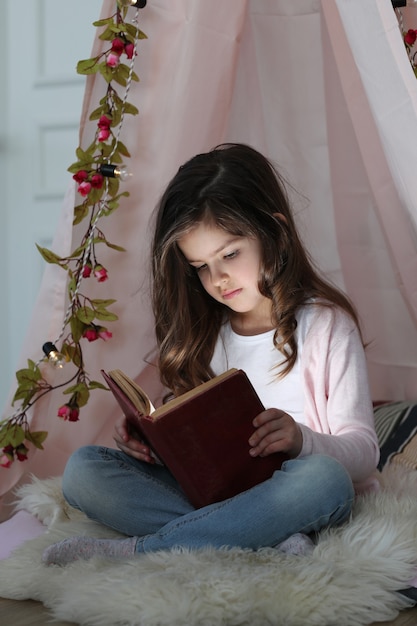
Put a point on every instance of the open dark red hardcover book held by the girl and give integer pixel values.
(202, 436)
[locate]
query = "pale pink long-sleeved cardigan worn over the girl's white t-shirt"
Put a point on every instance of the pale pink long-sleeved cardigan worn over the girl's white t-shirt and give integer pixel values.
(337, 397)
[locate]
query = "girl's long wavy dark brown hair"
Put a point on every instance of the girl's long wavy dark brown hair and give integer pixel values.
(238, 189)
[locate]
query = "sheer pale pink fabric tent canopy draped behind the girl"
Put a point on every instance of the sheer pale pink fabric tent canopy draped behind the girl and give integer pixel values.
(325, 89)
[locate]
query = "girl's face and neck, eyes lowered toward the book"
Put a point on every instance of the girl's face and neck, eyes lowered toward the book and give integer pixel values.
(228, 267)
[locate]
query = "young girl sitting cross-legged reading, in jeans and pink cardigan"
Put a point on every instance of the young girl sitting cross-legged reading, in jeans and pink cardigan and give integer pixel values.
(234, 287)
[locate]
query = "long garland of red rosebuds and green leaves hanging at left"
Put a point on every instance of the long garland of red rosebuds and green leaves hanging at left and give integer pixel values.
(97, 173)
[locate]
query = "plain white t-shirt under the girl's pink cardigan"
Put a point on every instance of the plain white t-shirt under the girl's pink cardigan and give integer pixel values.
(257, 356)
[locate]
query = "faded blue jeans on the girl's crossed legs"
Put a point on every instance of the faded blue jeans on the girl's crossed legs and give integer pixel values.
(144, 500)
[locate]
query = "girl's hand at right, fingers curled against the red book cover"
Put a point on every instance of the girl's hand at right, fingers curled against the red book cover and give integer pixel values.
(276, 431)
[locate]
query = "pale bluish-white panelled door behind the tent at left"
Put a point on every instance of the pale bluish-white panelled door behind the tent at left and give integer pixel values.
(41, 98)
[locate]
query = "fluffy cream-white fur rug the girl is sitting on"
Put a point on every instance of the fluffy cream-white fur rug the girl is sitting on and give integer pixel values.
(350, 579)
